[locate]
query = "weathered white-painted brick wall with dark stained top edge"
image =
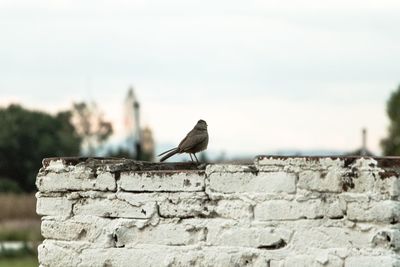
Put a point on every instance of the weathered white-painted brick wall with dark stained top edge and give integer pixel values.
(276, 212)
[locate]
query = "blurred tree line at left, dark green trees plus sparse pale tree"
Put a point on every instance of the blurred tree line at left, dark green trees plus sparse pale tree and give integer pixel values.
(28, 136)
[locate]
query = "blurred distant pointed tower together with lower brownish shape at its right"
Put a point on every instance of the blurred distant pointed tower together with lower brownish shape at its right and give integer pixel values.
(138, 143)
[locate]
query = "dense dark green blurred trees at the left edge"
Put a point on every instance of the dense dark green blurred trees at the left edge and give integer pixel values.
(26, 137)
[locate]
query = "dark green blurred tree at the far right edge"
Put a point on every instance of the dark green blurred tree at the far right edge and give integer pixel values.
(391, 144)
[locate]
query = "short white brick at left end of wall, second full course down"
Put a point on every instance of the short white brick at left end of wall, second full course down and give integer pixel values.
(53, 206)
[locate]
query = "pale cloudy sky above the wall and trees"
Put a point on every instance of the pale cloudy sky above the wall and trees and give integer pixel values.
(265, 75)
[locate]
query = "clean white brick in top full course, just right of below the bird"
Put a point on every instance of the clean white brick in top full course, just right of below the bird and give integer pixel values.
(263, 182)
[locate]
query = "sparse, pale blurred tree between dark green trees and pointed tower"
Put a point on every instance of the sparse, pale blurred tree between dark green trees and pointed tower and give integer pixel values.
(91, 126)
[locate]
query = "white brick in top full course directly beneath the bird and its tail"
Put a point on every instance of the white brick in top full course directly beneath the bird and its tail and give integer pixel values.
(159, 181)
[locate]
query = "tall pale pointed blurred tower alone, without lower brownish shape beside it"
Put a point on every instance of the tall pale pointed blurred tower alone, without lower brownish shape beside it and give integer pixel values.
(132, 124)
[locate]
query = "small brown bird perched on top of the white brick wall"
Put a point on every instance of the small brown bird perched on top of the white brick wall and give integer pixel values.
(195, 141)
